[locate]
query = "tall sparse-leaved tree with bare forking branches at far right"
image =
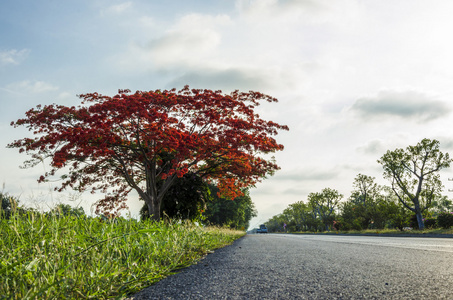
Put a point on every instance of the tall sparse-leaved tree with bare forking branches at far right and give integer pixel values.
(414, 175)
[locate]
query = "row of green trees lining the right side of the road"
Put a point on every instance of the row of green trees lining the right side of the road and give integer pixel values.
(413, 198)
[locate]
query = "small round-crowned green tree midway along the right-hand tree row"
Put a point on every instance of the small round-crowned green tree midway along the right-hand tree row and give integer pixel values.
(324, 204)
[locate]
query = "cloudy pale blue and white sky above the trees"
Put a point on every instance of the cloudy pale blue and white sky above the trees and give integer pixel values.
(353, 78)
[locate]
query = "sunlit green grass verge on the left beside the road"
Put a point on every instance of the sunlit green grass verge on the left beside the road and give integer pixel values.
(79, 258)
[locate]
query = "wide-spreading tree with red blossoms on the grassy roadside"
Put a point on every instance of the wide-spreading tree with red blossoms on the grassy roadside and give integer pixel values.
(144, 141)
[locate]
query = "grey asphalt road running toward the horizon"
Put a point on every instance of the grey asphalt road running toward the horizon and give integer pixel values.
(271, 266)
